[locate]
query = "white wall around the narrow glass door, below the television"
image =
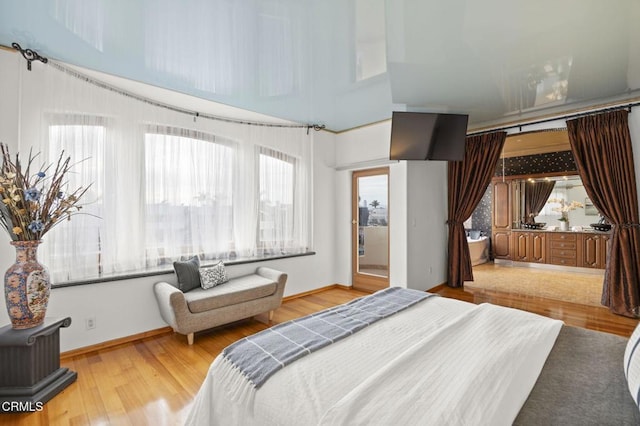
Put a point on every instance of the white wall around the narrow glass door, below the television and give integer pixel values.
(417, 190)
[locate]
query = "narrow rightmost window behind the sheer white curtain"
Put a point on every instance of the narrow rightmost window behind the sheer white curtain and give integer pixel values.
(276, 185)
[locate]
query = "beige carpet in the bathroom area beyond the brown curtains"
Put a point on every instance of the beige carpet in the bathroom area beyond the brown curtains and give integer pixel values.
(573, 287)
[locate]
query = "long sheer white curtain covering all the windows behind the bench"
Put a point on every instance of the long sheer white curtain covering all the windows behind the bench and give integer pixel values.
(164, 186)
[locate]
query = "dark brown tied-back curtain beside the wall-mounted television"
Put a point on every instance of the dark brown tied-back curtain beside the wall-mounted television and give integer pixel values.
(468, 181)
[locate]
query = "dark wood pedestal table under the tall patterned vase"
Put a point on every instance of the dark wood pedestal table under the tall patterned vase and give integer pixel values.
(30, 373)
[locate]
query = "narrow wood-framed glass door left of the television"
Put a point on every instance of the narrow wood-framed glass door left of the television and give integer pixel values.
(370, 229)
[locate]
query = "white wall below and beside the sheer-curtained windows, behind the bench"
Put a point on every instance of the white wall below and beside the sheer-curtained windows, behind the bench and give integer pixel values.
(127, 307)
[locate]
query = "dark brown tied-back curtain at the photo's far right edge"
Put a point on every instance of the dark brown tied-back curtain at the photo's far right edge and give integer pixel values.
(601, 146)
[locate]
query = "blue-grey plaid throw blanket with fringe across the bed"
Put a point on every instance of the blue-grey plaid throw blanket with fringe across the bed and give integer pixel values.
(260, 355)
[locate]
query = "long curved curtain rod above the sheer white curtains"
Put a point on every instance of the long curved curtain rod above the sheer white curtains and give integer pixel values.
(31, 55)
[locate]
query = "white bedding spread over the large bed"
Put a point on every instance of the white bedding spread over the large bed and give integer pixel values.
(451, 360)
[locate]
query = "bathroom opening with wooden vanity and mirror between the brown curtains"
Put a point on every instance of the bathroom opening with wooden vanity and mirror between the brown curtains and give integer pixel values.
(532, 257)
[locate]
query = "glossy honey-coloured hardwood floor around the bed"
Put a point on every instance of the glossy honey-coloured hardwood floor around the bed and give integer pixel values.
(153, 381)
